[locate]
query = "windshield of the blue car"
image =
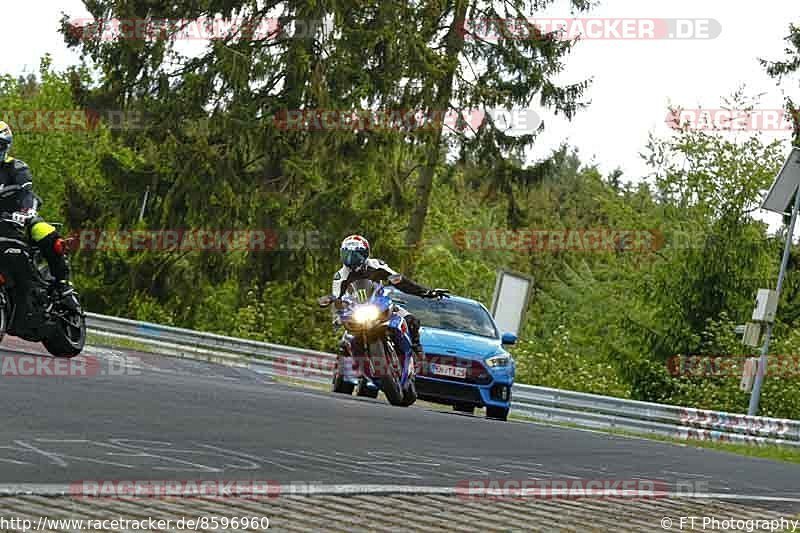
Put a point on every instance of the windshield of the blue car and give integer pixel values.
(452, 315)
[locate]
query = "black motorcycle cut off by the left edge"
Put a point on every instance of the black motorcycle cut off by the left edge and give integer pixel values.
(29, 308)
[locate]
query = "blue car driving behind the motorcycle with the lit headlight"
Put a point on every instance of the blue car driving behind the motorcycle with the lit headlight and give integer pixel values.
(465, 364)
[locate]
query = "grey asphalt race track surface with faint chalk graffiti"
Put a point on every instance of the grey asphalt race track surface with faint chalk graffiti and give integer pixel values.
(148, 417)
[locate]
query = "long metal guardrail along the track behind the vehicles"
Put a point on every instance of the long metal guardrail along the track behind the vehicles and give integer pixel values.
(542, 403)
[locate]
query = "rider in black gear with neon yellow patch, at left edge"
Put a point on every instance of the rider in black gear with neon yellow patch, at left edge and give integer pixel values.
(18, 200)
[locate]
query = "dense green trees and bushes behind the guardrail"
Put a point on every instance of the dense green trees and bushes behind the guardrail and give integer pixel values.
(209, 153)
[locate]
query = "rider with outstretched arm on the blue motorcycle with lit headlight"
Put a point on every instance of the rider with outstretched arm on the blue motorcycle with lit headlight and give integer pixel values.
(357, 264)
